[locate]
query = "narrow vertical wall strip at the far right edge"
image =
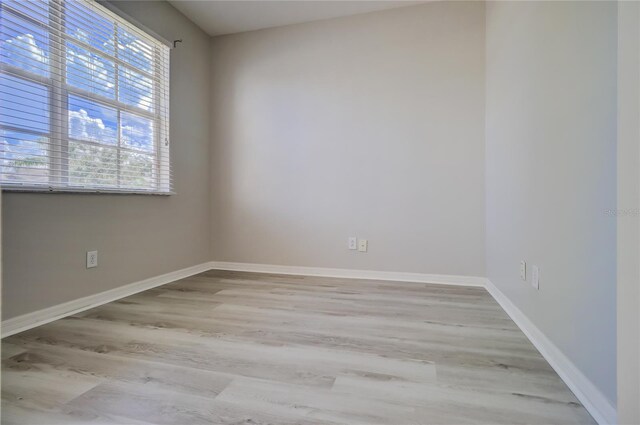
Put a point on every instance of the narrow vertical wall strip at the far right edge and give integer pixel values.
(628, 212)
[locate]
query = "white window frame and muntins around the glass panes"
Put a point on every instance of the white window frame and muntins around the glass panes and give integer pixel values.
(59, 93)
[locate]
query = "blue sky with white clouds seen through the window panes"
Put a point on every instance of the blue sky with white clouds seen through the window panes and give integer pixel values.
(25, 45)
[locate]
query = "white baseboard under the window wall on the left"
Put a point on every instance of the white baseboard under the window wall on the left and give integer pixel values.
(46, 315)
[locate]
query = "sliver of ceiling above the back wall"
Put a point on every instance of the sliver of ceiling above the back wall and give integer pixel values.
(227, 17)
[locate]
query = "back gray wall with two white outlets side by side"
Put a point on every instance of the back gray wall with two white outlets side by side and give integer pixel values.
(370, 126)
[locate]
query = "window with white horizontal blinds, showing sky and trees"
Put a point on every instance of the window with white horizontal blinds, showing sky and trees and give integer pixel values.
(84, 100)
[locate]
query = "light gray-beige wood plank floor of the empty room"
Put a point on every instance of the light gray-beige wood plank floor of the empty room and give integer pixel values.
(241, 348)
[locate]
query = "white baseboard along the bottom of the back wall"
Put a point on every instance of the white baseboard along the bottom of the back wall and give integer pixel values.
(351, 274)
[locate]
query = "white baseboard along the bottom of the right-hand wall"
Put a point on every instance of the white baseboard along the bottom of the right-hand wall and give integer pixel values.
(596, 403)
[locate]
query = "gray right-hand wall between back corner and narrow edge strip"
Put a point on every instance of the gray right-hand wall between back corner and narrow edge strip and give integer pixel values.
(551, 172)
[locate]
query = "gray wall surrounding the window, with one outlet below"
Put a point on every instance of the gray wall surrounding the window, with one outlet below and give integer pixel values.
(46, 236)
